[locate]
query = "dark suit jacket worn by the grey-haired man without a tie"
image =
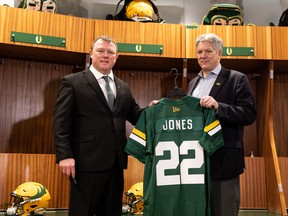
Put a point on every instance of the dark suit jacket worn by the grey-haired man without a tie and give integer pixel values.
(236, 109)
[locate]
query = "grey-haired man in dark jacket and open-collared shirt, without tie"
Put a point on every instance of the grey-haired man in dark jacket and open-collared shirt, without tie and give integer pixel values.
(229, 93)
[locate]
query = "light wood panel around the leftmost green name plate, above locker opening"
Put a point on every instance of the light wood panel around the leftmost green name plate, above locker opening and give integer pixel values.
(37, 22)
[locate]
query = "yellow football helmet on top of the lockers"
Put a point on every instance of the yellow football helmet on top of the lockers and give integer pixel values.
(140, 10)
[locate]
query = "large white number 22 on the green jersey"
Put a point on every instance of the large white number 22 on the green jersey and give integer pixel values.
(174, 161)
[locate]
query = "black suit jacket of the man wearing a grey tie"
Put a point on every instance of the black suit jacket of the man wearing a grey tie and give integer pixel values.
(86, 129)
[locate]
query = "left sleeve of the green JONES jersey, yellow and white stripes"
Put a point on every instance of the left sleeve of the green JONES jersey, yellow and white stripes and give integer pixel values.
(136, 144)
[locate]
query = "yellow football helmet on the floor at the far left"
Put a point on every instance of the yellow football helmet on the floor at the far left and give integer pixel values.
(29, 198)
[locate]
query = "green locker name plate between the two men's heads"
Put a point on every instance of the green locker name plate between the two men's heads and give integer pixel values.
(140, 48)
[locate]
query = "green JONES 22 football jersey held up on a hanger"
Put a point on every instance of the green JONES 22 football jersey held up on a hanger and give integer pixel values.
(174, 139)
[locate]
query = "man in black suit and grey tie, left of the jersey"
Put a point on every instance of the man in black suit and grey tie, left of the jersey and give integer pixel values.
(90, 136)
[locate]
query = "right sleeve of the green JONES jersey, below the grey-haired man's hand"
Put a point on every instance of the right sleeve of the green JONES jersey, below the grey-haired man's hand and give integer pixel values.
(212, 138)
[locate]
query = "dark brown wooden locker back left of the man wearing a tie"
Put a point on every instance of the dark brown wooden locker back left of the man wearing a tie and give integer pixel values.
(28, 93)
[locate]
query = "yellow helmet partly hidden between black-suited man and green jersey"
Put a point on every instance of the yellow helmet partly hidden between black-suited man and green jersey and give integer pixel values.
(134, 200)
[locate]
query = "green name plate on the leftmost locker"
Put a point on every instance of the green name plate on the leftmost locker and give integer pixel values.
(37, 39)
